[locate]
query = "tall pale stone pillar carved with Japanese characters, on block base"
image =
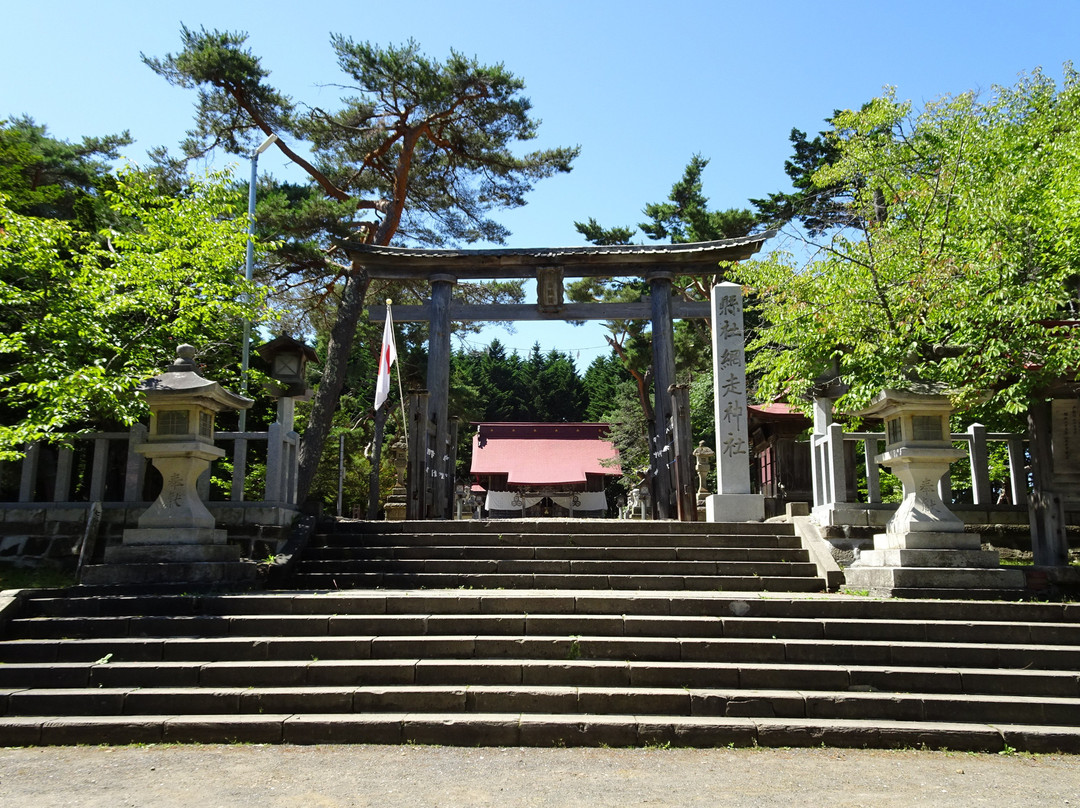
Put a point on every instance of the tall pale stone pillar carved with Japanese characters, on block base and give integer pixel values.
(734, 501)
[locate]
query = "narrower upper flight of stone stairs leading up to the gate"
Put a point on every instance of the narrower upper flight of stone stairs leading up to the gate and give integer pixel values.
(559, 555)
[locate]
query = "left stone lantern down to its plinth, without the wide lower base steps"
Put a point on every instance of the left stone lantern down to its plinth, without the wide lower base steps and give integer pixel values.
(181, 446)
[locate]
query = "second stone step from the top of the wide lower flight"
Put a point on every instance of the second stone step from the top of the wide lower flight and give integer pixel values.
(265, 628)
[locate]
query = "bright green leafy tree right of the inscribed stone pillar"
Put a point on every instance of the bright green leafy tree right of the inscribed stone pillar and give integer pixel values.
(961, 262)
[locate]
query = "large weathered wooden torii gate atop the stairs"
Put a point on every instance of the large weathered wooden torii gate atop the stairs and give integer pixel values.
(431, 473)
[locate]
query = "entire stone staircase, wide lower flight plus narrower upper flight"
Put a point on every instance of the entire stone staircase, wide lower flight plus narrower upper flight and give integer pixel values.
(624, 656)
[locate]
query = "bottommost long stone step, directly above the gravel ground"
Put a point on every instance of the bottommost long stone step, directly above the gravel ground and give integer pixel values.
(529, 730)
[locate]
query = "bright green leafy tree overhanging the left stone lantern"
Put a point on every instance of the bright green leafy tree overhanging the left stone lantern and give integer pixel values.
(91, 315)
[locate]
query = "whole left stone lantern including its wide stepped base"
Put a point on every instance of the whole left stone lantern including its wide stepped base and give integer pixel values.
(177, 541)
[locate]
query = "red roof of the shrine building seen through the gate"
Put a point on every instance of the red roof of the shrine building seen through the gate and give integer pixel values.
(544, 454)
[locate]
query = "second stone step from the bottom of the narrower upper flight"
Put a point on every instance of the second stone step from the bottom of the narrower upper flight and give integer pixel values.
(551, 567)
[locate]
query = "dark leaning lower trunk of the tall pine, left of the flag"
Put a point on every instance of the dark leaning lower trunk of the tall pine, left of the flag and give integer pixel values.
(330, 388)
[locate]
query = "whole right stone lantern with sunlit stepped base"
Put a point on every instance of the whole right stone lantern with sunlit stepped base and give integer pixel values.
(925, 549)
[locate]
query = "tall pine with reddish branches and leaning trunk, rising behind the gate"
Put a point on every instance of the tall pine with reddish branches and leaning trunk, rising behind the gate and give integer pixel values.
(420, 151)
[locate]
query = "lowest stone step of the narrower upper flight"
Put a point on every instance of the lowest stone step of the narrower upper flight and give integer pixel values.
(545, 581)
